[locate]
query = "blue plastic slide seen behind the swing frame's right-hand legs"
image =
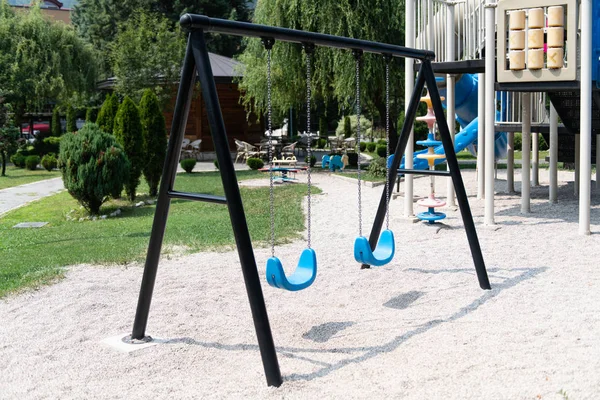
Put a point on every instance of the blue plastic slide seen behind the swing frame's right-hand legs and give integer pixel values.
(466, 115)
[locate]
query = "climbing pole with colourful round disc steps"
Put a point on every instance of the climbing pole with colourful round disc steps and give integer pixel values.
(430, 202)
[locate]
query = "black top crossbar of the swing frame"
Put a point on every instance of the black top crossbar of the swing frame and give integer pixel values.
(247, 29)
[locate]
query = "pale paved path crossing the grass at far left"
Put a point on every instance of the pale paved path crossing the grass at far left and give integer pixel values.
(18, 196)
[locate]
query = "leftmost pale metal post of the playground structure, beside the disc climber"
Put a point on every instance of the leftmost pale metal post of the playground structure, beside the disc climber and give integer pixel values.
(409, 83)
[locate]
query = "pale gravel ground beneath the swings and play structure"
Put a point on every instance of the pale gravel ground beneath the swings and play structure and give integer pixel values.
(419, 328)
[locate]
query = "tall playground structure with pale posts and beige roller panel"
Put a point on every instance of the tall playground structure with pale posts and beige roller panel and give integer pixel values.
(547, 51)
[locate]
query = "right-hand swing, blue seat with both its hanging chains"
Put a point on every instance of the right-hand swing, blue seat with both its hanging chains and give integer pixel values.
(386, 247)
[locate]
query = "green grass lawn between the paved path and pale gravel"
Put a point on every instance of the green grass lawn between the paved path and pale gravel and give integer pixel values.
(29, 257)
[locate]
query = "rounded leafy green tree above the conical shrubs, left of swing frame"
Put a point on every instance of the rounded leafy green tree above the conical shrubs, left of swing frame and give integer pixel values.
(147, 53)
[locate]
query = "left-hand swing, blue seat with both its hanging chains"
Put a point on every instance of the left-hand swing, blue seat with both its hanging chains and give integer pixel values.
(306, 271)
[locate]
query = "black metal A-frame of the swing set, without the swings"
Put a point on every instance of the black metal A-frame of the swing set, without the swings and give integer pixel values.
(196, 60)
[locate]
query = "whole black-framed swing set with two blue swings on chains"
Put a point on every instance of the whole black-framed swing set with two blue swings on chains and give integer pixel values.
(377, 250)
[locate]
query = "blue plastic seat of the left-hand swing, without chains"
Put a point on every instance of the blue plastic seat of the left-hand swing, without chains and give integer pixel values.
(303, 277)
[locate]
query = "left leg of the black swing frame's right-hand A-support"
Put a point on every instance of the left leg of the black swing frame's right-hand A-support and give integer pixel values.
(411, 113)
